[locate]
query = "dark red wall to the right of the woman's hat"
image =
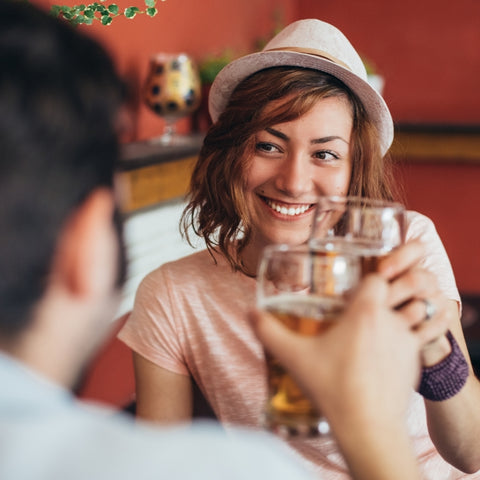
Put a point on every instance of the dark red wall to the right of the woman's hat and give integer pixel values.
(428, 51)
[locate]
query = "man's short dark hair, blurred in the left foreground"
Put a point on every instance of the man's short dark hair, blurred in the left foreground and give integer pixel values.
(59, 101)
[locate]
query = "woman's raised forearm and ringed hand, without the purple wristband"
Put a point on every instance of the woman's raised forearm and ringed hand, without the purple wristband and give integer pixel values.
(454, 424)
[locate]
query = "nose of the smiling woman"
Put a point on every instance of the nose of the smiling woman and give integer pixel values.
(294, 176)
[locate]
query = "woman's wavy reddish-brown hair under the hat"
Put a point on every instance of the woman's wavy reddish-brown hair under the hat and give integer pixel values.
(216, 208)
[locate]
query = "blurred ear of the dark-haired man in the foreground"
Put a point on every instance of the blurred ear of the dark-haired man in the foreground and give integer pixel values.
(87, 250)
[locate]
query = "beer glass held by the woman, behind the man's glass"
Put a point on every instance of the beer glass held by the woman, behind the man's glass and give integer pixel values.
(362, 226)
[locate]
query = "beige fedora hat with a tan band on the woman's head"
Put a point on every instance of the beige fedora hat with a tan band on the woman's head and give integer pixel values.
(308, 43)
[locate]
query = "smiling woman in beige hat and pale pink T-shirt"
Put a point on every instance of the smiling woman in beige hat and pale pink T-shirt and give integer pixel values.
(294, 121)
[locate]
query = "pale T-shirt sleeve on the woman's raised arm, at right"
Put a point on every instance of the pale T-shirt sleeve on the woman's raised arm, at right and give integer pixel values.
(436, 260)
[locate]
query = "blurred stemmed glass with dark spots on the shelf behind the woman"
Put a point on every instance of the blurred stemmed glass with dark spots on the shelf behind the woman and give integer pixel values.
(172, 90)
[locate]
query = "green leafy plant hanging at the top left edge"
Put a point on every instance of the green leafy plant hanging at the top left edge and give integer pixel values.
(88, 13)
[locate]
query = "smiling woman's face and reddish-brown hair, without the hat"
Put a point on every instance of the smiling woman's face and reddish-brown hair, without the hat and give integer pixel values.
(296, 126)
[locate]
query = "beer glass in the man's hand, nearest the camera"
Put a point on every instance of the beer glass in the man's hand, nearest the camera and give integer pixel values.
(306, 292)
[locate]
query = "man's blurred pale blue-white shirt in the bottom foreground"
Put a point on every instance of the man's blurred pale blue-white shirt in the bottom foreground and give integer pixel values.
(46, 434)
